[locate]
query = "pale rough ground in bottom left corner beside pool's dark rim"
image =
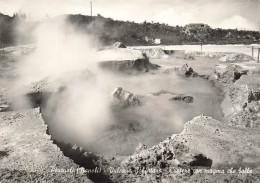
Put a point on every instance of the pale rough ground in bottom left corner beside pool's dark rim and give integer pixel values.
(31, 160)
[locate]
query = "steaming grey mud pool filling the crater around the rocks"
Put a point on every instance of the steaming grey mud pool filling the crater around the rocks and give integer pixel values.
(155, 120)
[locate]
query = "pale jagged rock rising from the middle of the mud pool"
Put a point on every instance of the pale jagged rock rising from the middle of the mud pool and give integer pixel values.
(124, 99)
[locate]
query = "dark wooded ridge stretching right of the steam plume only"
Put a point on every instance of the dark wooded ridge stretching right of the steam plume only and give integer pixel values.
(131, 33)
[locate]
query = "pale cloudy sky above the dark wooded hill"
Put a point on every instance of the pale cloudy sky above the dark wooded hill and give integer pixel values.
(241, 14)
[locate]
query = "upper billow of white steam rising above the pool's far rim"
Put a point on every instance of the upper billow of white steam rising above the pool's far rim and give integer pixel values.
(59, 48)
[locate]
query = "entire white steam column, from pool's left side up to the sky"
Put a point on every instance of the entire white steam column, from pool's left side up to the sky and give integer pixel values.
(83, 109)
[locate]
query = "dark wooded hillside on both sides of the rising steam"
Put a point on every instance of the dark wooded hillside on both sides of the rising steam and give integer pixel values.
(110, 31)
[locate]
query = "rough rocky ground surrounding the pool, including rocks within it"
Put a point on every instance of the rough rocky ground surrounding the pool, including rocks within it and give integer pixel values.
(206, 150)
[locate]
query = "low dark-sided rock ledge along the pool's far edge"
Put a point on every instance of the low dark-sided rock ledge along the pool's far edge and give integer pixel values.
(129, 66)
